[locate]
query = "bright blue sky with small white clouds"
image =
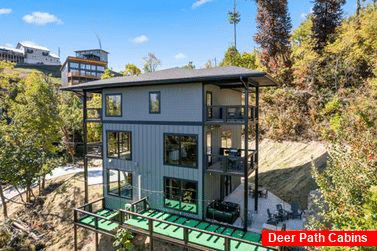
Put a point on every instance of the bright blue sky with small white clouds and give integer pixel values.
(177, 31)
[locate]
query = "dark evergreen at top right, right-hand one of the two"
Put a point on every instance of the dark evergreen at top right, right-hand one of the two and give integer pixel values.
(327, 15)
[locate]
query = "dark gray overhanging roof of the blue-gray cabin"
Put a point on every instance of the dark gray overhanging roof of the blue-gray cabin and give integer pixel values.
(229, 76)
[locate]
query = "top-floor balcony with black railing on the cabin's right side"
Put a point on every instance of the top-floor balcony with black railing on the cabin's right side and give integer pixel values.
(229, 114)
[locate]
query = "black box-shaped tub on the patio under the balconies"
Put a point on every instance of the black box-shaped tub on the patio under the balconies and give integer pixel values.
(223, 211)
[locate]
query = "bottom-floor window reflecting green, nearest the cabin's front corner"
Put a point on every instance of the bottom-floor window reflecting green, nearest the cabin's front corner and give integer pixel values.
(181, 195)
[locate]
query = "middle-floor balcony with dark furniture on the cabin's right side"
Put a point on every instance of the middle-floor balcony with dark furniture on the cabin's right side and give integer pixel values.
(230, 162)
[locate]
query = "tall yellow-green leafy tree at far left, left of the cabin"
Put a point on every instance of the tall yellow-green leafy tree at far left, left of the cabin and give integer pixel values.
(35, 113)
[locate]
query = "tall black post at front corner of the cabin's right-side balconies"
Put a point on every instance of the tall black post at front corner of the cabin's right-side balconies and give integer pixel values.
(246, 170)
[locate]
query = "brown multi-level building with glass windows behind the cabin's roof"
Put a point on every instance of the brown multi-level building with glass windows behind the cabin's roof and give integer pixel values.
(87, 65)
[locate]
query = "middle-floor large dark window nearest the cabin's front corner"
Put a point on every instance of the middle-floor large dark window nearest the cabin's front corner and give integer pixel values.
(181, 150)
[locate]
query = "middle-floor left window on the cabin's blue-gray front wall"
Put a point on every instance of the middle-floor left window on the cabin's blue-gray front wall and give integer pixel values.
(118, 145)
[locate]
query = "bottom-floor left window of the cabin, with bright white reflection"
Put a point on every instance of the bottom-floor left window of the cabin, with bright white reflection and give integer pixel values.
(119, 183)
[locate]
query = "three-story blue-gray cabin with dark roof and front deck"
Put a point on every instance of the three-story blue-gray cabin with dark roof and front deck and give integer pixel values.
(175, 142)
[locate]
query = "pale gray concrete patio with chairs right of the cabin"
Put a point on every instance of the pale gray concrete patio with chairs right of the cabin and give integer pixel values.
(260, 218)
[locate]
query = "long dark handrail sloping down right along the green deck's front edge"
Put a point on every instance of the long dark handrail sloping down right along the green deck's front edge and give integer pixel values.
(187, 228)
